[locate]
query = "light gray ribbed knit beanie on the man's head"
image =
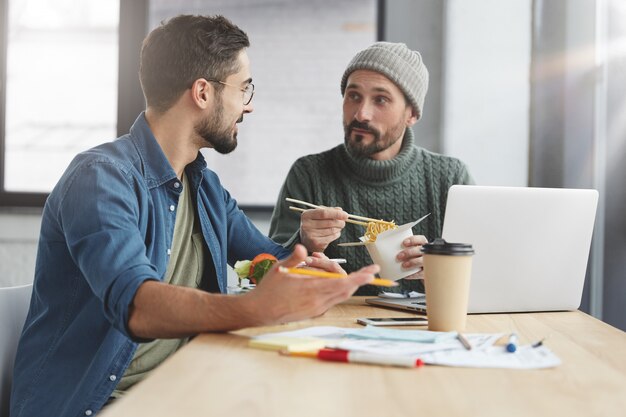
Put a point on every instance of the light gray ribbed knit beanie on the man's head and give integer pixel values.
(402, 66)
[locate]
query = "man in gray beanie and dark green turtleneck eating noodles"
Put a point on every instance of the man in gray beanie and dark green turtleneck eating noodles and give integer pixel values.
(378, 171)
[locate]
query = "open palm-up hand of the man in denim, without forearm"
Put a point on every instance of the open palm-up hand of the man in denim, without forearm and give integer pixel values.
(283, 297)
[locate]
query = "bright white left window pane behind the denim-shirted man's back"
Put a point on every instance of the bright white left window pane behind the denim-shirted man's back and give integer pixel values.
(59, 90)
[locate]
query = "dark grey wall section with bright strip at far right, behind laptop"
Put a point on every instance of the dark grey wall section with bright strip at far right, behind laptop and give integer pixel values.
(578, 133)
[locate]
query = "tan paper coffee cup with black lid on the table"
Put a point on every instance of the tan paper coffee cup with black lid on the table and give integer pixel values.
(447, 272)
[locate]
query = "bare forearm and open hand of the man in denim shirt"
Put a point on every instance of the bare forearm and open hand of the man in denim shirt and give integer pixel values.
(161, 310)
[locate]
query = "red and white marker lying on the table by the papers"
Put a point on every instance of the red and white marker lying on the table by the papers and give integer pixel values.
(340, 355)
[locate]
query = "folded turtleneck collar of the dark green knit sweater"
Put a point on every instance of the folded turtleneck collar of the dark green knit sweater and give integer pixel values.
(379, 171)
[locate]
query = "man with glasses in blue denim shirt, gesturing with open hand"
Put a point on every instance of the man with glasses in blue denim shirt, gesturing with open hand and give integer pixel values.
(137, 234)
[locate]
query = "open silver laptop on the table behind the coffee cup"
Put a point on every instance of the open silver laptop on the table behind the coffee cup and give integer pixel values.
(531, 247)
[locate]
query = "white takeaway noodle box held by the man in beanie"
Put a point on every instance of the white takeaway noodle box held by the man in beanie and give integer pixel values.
(384, 250)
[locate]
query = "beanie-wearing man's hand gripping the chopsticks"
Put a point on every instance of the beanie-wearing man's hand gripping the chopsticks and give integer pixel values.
(319, 227)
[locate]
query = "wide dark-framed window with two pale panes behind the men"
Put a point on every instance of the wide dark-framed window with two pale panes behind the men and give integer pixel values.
(62, 88)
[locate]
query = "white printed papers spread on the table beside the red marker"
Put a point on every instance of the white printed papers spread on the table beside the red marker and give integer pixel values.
(434, 348)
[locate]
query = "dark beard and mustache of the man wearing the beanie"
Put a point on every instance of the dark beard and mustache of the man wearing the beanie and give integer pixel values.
(380, 142)
